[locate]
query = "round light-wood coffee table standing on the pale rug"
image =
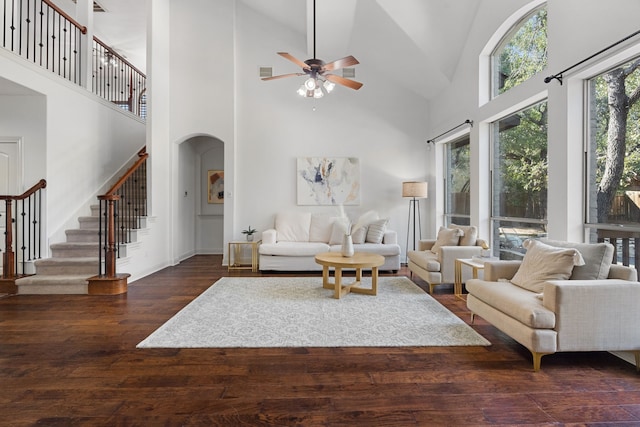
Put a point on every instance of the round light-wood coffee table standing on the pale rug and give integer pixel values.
(358, 261)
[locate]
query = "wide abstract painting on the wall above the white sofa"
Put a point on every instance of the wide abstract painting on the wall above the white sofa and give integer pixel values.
(328, 180)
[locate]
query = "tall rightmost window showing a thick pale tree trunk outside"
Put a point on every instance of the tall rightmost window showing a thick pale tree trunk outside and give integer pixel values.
(613, 212)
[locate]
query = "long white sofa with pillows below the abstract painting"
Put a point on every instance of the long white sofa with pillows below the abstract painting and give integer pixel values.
(298, 236)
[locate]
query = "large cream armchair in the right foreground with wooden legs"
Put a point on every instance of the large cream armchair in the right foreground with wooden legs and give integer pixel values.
(588, 307)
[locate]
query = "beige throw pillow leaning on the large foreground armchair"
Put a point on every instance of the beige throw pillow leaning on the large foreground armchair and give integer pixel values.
(542, 262)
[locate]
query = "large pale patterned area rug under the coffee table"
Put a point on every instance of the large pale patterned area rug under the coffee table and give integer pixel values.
(298, 312)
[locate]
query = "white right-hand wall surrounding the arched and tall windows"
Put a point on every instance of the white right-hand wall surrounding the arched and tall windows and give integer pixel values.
(576, 29)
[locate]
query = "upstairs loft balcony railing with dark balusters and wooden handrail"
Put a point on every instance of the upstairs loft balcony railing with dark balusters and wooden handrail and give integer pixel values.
(42, 33)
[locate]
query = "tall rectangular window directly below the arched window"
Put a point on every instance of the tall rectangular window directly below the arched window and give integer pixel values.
(519, 180)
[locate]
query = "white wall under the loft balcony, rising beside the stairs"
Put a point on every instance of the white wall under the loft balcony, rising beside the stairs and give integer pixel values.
(72, 139)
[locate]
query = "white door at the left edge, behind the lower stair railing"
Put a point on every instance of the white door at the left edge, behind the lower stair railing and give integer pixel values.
(10, 162)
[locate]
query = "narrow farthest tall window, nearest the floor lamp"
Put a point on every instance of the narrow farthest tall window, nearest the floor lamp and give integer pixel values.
(457, 209)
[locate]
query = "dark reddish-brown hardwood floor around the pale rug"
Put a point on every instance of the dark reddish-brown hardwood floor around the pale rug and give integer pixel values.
(71, 361)
